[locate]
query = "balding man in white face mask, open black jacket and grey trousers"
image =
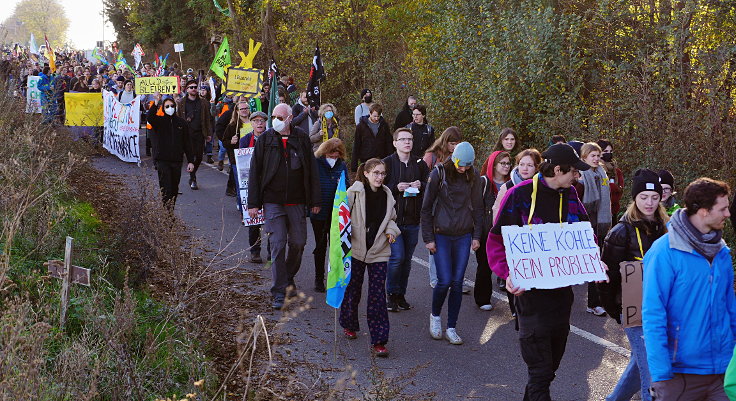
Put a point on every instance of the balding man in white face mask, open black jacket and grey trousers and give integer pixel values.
(283, 179)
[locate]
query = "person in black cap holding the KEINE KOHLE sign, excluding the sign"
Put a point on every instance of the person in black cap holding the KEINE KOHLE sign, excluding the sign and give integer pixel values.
(543, 314)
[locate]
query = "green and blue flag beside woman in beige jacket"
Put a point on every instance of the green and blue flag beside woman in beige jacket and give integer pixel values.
(340, 251)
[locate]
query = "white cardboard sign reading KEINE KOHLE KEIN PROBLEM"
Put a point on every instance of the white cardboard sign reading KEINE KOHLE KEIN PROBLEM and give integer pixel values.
(552, 255)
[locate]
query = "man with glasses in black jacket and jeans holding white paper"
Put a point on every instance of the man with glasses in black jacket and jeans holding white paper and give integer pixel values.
(406, 177)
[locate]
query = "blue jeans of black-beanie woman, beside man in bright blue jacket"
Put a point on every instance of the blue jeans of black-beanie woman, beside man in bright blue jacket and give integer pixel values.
(636, 375)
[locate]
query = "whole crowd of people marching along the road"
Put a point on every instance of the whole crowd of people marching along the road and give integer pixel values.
(409, 181)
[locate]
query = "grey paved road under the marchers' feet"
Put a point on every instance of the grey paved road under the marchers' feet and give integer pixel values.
(487, 367)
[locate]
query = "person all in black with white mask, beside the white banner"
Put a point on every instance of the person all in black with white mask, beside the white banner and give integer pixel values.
(169, 139)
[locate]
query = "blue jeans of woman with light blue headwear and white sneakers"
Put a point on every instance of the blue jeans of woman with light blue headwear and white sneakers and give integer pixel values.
(451, 259)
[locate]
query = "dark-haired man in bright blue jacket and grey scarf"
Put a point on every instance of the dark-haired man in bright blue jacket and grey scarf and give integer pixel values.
(688, 301)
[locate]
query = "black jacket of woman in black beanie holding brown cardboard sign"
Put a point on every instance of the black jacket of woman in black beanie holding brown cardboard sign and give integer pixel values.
(621, 245)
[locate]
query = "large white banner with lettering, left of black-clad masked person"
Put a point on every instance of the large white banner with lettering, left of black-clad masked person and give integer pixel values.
(122, 123)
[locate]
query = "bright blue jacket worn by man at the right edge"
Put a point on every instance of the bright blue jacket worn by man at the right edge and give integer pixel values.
(688, 309)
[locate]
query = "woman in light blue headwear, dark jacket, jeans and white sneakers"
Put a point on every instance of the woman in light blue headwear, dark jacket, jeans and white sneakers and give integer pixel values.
(452, 223)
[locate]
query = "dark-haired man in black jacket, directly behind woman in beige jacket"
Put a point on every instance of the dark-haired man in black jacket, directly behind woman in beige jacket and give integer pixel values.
(372, 138)
